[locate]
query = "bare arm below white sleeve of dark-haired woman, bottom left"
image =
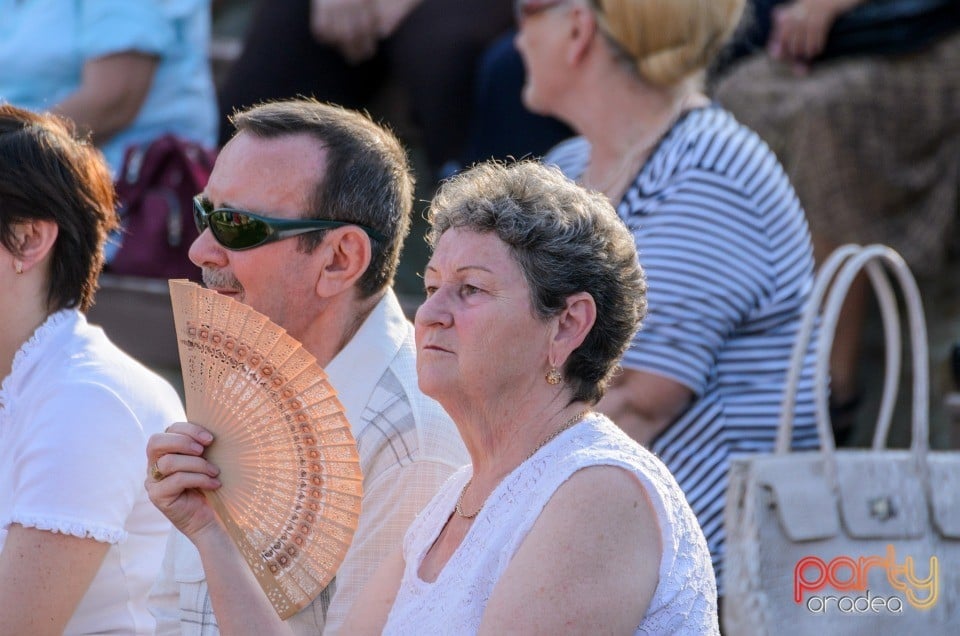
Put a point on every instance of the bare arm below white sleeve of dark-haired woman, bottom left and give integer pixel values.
(43, 576)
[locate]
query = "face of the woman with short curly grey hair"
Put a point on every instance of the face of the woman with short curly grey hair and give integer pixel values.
(477, 303)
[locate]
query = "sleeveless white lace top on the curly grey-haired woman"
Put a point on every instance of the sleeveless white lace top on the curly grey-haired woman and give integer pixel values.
(685, 600)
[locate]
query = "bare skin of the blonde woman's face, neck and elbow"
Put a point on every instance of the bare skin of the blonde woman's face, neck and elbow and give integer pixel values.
(574, 75)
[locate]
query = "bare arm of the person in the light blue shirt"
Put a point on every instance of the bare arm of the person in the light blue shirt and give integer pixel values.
(113, 88)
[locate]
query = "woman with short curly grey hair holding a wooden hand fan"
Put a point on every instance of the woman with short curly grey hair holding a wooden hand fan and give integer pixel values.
(562, 523)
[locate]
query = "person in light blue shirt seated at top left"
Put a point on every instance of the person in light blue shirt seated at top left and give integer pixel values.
(126, 71)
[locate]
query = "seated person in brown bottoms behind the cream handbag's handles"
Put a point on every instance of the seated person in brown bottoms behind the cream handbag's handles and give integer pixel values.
(869, 164)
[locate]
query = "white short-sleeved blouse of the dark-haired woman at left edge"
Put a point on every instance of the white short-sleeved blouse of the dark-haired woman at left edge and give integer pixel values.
(75, 415)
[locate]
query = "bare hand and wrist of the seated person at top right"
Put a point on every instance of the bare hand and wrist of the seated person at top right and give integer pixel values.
(799, 29)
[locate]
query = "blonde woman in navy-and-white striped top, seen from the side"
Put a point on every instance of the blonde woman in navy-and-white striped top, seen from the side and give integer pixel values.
(719, 231)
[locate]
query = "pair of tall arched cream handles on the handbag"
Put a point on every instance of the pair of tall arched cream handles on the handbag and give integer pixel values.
(844, 264)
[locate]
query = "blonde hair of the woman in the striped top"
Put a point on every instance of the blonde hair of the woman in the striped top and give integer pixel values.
(669, 41)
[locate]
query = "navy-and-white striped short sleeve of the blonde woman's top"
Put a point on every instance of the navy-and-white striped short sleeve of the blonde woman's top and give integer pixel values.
(703, 252)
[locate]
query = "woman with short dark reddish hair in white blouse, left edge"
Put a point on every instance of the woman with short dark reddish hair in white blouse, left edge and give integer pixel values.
(80, 543)
